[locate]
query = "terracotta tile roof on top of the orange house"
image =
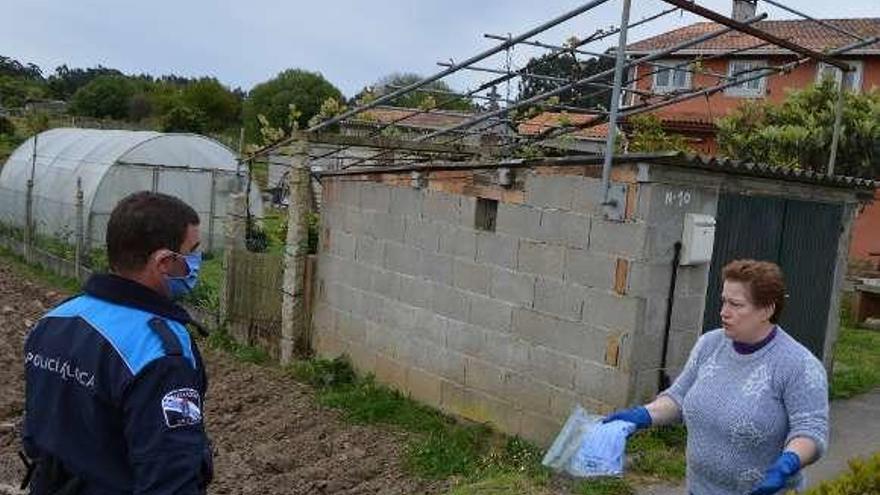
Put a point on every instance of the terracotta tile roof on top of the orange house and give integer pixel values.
(803, 32)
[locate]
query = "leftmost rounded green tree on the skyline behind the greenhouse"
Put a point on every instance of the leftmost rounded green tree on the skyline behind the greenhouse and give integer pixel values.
(104, 97)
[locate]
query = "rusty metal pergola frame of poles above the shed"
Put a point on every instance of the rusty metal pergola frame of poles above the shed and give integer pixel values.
(443, 145)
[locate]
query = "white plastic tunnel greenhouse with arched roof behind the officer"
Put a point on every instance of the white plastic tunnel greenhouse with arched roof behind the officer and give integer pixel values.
(107, 165)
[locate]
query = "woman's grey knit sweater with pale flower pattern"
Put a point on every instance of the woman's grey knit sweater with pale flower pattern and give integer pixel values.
(742, 409)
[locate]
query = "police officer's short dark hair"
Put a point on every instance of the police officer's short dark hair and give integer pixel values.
(143, 223)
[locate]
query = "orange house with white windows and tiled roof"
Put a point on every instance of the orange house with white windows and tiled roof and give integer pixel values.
(709, 64)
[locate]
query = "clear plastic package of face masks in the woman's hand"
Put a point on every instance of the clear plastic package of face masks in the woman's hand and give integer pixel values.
(586, 447)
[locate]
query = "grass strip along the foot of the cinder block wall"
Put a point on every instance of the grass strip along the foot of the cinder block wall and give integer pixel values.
(482, 461)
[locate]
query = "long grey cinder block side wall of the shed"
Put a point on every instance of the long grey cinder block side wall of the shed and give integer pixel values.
(512, 327)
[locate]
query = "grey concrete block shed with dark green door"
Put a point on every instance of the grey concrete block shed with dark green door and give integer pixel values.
(503, 293)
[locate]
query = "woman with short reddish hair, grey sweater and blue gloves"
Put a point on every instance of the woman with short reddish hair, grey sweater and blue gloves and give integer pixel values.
(754, 400)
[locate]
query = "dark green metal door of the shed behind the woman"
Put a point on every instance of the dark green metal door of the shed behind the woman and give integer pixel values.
(802, 237)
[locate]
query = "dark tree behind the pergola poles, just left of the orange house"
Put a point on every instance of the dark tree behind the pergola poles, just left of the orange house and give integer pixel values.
(566, 66)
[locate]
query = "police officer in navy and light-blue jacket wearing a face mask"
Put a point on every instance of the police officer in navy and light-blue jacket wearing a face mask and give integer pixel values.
(114, 383)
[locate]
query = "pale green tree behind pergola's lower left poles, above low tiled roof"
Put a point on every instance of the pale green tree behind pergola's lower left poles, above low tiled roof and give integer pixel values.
(430, 96)
